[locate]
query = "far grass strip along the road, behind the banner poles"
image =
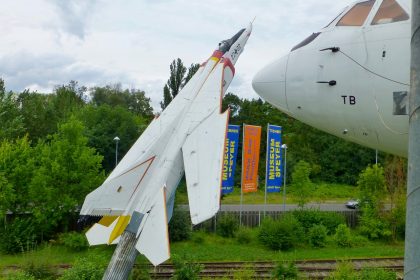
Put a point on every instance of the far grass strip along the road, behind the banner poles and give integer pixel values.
(322, 193)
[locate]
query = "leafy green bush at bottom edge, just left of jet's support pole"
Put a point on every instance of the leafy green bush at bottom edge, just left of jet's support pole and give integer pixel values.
(85, 269)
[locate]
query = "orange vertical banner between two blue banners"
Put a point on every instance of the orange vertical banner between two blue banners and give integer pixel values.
(250, 157)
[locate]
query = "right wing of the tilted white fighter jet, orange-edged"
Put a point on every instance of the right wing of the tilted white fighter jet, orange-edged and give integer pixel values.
(203, 149)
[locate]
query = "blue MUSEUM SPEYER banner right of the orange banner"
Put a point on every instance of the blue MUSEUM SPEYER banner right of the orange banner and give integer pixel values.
(274, 173)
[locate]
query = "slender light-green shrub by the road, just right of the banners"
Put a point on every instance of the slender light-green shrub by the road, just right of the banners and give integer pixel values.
(301, 183)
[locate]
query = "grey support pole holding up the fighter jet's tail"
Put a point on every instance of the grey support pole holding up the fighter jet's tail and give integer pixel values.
(123, 259)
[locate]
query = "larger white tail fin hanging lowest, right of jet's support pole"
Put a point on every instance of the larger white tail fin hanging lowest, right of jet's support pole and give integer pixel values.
(153, 241)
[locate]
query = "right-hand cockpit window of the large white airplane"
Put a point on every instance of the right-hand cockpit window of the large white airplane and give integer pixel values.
(389, 11)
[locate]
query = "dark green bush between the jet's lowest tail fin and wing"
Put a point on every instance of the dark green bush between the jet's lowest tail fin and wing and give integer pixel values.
(180, 226)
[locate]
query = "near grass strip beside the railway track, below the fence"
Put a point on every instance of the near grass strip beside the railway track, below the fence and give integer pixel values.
(205, 247)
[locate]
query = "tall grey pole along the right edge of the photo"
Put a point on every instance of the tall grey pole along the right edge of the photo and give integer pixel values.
(412, 236)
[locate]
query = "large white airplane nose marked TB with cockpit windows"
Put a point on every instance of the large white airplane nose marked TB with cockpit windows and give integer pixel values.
(350, 78)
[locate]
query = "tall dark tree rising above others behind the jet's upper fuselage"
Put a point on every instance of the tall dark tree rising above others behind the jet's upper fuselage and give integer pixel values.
(178, 78)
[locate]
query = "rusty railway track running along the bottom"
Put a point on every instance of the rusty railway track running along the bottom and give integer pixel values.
(312, 269)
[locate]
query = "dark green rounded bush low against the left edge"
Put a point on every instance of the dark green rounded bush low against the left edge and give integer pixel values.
(18, 236)
